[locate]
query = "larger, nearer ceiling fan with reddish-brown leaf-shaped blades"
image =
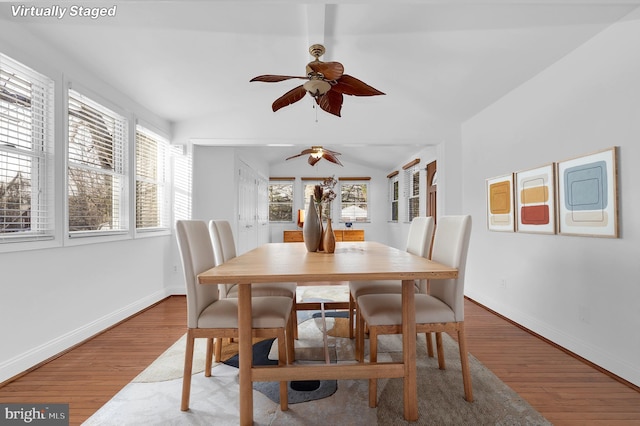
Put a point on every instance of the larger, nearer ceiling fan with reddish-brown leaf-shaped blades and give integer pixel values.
(326, 84)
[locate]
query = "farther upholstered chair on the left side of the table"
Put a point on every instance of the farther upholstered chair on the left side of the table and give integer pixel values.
(224, 248)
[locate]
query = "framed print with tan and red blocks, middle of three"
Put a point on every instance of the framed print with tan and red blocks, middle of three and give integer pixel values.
(535, 200)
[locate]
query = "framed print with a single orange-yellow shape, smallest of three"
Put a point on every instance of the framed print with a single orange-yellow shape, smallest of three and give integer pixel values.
(500, 215)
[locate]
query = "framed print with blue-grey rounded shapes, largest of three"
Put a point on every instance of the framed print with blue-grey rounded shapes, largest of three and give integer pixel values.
(587, 195)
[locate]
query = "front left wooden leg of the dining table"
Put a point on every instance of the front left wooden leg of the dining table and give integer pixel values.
(245, 354)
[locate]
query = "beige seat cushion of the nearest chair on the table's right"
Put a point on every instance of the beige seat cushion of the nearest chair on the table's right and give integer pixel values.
(386, 309)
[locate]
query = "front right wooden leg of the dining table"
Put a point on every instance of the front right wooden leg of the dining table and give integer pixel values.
(409, 351)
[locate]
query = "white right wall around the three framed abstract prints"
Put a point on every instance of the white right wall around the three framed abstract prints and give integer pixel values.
(582, 293)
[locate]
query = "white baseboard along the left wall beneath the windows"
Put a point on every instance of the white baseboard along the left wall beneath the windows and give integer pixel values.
(27, 361)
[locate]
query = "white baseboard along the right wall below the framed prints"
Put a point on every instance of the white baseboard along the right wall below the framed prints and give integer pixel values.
(604, 361)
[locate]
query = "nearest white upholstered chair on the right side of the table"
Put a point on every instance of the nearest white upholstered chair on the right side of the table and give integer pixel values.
(440, 310)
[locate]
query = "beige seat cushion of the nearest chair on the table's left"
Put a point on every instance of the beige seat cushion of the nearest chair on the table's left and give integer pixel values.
(266, 312)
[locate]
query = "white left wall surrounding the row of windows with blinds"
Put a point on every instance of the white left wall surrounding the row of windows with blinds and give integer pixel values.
(53, 298)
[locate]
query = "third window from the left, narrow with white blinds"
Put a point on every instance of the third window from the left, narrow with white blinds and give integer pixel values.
(152, 207)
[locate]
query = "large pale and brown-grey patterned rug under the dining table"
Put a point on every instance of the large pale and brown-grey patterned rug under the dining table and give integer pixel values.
(214, 400)
